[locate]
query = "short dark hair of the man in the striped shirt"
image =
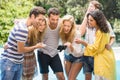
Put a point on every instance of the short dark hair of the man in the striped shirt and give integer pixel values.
(36, 11)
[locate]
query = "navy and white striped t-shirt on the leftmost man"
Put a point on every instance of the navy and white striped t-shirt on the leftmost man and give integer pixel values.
(18, 34)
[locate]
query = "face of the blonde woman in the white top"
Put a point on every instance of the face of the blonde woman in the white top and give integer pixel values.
(67, 25)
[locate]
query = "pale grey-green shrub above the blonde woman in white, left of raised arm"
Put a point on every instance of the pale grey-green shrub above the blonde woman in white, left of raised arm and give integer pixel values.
(77, 10)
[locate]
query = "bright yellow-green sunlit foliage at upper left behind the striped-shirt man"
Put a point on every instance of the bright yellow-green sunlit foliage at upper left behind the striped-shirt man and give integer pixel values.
(10, 10)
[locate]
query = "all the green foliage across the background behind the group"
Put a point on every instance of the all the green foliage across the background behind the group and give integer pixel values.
(12, 9)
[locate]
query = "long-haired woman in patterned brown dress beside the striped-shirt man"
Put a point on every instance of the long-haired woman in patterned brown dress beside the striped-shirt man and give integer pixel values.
(35, 34)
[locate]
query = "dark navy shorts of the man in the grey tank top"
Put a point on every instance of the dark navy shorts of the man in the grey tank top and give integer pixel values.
(45, 61)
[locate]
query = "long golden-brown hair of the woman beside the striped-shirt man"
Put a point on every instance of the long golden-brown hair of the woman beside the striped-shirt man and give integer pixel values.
(34, 35)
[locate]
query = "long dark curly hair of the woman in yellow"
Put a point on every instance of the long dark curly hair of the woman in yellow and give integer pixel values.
(100, 19)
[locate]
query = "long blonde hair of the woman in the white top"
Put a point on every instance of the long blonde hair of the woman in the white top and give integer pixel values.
(71, 34)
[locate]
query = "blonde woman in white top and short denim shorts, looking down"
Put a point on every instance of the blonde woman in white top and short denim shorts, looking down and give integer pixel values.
(73, 54)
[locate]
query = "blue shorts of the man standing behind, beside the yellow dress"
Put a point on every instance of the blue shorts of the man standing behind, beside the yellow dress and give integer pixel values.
(88, 64)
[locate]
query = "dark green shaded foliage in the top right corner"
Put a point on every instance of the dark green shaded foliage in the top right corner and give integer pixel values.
(111, 8)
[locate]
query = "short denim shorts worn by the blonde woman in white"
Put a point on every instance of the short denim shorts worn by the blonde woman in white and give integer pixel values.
(72, 59)
